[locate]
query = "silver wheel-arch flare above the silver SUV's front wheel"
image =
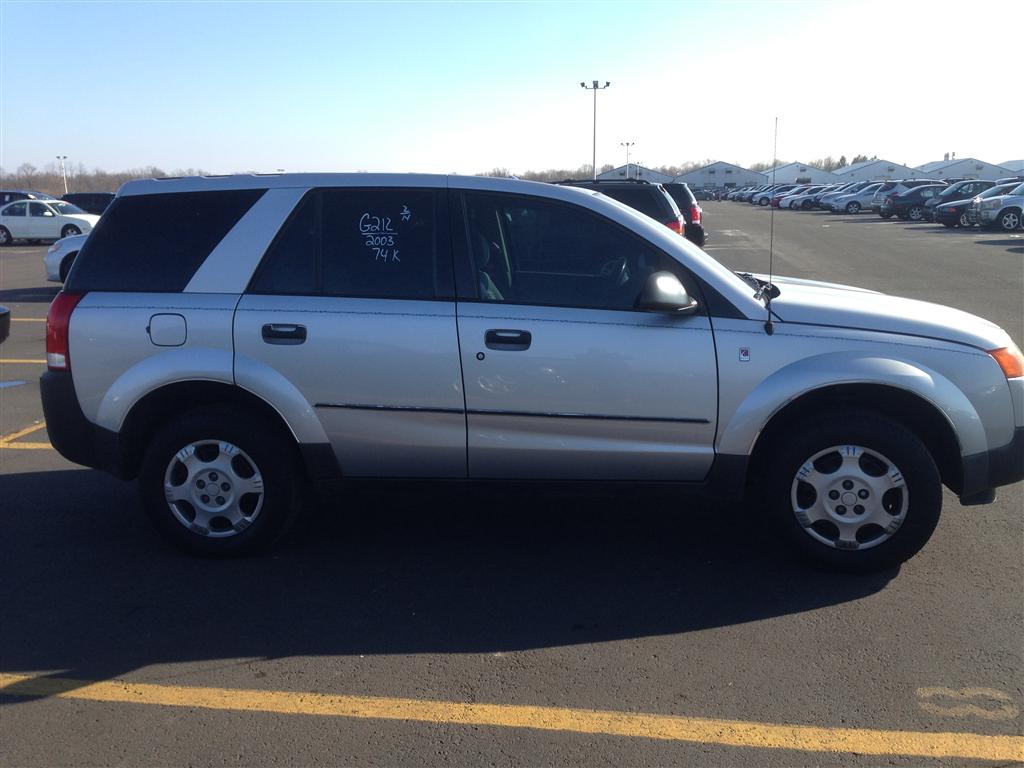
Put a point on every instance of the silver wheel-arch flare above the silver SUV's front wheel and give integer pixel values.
(807, 375)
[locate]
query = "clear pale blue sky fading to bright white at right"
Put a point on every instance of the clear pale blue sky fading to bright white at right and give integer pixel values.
(470, 87)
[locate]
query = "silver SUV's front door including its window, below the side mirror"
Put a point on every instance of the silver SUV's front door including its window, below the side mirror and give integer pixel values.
(565, 378)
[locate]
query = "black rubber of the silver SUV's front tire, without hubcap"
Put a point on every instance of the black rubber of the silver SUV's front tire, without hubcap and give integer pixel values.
(876, 435)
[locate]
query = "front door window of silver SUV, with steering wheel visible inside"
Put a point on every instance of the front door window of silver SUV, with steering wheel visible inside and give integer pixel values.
(537, 251)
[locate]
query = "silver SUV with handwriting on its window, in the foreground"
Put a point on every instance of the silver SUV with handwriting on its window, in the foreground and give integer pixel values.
(300, 330)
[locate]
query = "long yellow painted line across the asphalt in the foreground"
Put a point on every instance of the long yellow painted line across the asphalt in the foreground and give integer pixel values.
(664, 728)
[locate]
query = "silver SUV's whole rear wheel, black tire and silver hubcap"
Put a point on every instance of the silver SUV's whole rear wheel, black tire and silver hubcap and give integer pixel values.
(222, 482)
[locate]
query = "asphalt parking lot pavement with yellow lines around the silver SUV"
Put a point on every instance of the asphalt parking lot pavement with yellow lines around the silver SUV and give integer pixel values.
(516, 626)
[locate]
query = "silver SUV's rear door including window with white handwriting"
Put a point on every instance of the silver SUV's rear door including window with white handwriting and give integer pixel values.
(354, 307)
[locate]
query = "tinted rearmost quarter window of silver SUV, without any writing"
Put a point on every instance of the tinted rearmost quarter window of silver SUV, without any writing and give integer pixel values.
(155, 243)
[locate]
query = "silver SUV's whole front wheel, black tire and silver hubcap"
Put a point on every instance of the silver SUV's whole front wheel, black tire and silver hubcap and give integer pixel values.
(854, 491)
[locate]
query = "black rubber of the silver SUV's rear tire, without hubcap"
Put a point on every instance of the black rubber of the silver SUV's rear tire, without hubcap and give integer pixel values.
(271, 450)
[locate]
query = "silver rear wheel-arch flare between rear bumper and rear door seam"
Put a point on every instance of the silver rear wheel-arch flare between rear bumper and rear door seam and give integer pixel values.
(170, 367)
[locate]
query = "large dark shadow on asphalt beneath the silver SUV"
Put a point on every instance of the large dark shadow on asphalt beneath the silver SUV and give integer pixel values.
(91, 591)
